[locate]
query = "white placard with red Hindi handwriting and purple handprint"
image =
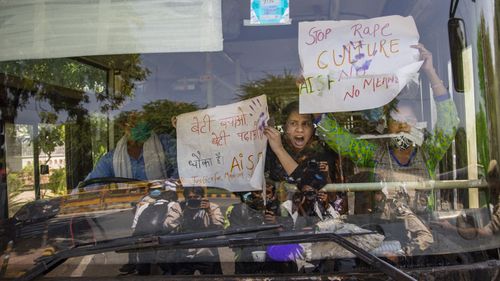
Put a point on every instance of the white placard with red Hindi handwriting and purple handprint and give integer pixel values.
(224, 146)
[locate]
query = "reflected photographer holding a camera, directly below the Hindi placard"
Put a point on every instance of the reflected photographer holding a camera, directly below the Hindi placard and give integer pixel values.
(198, 214)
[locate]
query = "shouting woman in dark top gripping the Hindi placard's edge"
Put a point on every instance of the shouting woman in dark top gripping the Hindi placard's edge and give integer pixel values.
(291, 153)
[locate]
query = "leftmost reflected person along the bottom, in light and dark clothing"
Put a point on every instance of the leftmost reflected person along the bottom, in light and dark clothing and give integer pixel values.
(157, 213)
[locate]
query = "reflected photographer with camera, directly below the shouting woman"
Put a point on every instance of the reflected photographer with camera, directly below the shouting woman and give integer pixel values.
(310, 204)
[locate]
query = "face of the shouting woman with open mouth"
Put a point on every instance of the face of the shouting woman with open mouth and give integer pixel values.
(299, 130)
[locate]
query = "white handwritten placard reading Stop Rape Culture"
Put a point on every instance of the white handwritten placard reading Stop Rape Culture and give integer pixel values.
(356, 65)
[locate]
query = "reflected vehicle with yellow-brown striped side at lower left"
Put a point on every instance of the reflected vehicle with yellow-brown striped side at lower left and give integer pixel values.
(62, 221)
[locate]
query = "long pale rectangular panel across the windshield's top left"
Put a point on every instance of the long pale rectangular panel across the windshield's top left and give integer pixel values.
(48, 29)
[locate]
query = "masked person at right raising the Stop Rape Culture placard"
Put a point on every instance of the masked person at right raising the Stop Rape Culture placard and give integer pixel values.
(401, 159)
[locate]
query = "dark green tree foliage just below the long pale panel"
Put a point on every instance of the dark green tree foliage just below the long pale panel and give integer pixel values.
(67, 84)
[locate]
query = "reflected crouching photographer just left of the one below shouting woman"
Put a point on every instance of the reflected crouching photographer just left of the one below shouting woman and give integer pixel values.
(252, 211)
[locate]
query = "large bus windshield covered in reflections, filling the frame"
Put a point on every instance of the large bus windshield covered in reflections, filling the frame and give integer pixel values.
(100, 150)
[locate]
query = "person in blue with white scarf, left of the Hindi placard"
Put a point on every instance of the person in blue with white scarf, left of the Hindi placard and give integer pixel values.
(140, 154)
